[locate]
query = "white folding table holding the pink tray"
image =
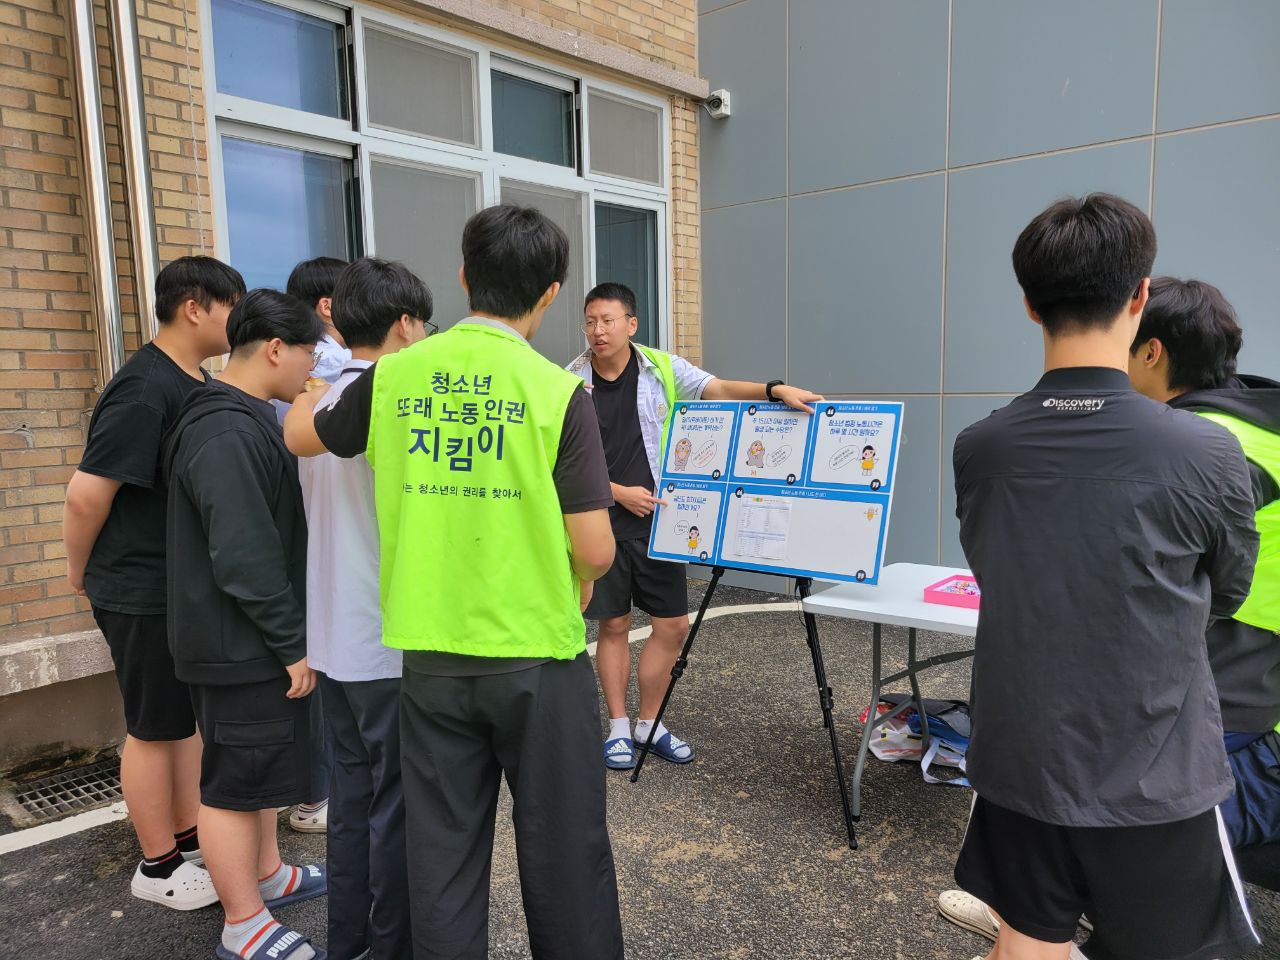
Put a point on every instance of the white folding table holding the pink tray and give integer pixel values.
(897, 601)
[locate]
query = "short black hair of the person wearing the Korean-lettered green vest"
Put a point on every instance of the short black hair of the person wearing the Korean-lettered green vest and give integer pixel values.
(510, 257)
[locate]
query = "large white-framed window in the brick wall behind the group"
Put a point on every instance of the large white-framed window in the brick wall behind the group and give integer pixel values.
(342, 130)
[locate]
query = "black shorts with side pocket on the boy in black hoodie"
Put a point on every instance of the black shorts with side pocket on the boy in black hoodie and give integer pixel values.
(258, 746)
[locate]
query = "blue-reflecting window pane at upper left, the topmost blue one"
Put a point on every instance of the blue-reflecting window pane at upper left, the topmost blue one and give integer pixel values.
(280, 57)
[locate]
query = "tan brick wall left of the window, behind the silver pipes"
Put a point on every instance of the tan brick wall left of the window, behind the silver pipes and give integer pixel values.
(48, 340)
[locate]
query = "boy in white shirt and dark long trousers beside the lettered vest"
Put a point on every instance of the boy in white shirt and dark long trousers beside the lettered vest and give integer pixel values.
(378, 309)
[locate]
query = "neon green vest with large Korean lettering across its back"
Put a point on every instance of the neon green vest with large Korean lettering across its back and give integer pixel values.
(463, 442)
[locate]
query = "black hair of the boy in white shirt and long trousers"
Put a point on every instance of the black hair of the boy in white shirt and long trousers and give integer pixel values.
(372, 295)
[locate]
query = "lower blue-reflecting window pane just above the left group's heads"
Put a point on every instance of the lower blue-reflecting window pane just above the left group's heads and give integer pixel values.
(285, 205)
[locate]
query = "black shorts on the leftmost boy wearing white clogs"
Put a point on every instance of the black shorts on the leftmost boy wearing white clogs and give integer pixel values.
(157, 705)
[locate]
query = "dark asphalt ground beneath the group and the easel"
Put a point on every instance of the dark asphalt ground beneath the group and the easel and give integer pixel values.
(738, 856)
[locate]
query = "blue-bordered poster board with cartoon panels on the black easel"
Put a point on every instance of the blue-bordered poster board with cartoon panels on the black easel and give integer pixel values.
(762, 487)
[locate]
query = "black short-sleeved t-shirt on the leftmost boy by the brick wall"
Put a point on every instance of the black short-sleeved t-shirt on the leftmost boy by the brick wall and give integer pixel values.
(126, 570)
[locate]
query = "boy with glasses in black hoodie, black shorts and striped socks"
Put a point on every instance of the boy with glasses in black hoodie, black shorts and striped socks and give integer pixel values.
(237, 540)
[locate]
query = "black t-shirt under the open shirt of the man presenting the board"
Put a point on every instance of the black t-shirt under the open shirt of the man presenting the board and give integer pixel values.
(624, 444)
